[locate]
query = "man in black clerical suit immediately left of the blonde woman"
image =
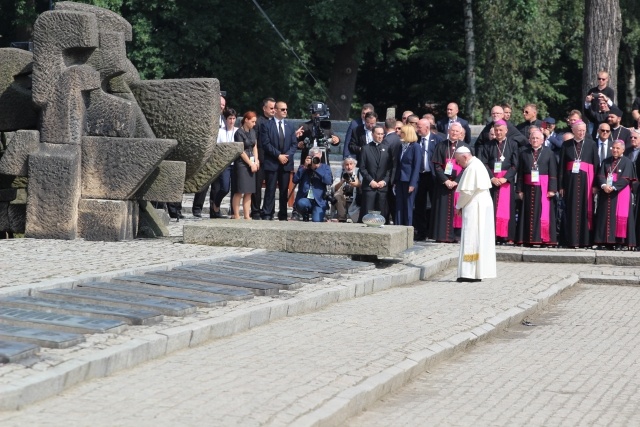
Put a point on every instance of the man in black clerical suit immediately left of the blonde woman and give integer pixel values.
(376, 169)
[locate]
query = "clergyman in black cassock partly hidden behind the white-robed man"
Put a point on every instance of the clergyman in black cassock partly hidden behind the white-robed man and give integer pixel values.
(445, 226)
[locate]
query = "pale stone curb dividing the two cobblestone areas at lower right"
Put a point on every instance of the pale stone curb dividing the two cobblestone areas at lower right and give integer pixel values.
(354, 400)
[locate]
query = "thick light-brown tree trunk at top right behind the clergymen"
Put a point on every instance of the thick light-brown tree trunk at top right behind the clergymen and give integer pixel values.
(602, 33)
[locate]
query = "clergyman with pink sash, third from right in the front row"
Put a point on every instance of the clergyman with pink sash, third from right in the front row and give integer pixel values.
(537, 186)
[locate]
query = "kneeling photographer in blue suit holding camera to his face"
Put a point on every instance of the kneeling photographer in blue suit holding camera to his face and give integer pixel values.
(312, 178)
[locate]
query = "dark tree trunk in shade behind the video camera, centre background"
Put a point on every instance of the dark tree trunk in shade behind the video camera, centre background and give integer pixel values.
(343, 81)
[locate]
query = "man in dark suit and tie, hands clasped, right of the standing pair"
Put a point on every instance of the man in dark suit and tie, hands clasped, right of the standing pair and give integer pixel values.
(279, 141)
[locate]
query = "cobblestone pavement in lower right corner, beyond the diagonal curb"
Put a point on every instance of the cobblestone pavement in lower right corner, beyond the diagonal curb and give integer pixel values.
(577, 366)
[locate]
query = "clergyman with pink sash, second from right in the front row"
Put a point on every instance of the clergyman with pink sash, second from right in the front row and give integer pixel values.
(576, 176)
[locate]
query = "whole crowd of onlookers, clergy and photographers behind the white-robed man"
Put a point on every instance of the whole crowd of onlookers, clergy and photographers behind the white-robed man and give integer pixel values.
(576, 189)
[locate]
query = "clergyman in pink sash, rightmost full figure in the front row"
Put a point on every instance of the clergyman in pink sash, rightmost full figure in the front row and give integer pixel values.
(615, 222)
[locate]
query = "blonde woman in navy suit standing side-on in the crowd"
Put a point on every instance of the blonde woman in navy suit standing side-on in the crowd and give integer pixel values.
(409, 160)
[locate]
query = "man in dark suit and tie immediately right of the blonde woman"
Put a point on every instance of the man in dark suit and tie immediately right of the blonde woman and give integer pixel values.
(424, 192)
